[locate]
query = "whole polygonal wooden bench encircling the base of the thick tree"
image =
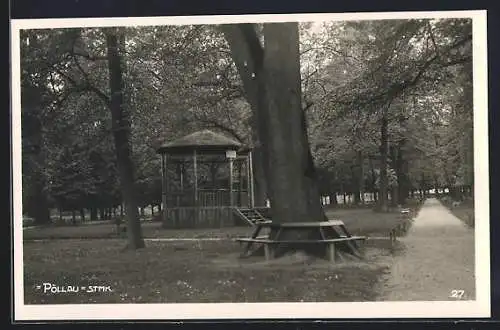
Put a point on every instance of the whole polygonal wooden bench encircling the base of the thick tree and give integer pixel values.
(325, 233)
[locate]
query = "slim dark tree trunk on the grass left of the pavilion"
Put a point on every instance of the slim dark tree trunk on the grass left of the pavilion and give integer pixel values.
(121, 131)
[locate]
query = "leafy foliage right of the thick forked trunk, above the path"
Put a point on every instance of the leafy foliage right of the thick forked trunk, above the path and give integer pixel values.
(414, 68)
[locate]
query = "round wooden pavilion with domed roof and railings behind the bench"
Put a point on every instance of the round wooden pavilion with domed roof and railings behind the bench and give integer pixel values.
(207, 178)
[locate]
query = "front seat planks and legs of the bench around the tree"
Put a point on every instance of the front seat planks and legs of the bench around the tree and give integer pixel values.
(330, 243)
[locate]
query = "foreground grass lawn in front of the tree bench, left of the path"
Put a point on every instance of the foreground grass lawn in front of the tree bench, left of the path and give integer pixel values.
(198, 271)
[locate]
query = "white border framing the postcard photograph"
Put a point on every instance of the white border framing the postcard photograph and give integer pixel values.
(446, 309)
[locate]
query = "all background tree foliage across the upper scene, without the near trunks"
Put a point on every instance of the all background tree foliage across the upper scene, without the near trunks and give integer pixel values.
(182, 78)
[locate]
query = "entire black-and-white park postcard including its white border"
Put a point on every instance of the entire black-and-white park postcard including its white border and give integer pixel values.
(251, 166)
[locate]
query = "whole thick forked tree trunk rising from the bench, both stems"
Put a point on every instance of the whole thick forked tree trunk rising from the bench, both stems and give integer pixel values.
(271, 77)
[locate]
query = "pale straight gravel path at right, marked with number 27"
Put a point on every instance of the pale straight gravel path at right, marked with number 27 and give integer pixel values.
(437, 258)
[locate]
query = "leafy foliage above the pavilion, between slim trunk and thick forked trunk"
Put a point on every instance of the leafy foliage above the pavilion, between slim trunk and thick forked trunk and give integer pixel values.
(183, 80)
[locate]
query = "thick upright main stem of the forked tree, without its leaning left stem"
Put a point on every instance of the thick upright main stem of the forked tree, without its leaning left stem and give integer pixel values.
(291, 172)
